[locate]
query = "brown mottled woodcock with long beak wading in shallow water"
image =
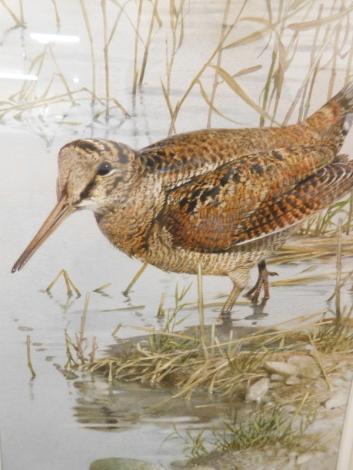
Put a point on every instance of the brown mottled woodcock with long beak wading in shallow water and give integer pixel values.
(224, 199)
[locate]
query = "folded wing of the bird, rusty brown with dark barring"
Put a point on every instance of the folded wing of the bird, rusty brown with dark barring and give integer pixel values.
(253, 197)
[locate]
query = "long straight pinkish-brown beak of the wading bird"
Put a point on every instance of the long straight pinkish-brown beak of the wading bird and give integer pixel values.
(60, 212)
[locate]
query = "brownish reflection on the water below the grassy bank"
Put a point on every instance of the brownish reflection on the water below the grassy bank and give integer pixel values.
(122, 406)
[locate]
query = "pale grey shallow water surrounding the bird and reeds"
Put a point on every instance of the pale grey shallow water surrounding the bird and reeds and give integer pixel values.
(55, 421)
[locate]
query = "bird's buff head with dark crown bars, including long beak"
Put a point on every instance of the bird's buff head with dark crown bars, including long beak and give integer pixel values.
(93, 174)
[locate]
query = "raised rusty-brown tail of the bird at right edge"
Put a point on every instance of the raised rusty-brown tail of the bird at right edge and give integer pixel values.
(333, 121)
